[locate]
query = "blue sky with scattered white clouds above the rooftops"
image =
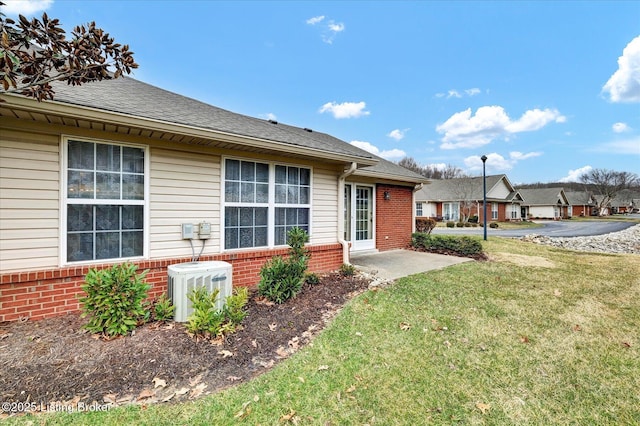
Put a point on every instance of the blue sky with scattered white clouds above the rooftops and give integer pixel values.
(547, 90)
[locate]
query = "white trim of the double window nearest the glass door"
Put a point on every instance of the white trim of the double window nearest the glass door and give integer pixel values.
(271, 204)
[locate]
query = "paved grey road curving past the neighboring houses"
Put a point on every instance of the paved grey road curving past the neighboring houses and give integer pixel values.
(549, 228)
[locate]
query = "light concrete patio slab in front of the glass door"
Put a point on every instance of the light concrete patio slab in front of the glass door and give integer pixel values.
(396, 264)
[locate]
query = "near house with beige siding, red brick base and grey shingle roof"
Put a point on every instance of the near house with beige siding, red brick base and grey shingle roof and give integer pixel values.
(111, 171)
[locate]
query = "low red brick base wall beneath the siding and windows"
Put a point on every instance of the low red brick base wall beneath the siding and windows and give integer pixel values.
(46, 293)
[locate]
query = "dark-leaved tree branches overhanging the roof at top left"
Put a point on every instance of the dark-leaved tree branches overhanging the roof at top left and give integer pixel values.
(35, 53)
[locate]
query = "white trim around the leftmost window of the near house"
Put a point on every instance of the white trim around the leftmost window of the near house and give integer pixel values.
(62, 253)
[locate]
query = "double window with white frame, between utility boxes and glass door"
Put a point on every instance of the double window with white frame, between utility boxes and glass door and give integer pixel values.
(263, 202)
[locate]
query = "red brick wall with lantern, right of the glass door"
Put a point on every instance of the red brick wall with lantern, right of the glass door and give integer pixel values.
(394, 217)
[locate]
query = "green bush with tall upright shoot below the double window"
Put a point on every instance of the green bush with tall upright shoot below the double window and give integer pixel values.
(281, 279)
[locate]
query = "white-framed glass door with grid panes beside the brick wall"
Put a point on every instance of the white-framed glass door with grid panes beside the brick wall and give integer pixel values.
(359, 216)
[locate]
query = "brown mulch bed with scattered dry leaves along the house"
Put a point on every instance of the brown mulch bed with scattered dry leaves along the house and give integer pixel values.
(56, 361)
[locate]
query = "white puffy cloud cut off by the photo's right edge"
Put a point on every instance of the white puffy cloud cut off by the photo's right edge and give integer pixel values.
(624, 84)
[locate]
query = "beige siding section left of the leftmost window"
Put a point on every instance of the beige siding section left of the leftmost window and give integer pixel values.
(29, 190)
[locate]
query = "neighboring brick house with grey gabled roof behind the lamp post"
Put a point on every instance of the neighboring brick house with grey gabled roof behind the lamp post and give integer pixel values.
(461, 198)
